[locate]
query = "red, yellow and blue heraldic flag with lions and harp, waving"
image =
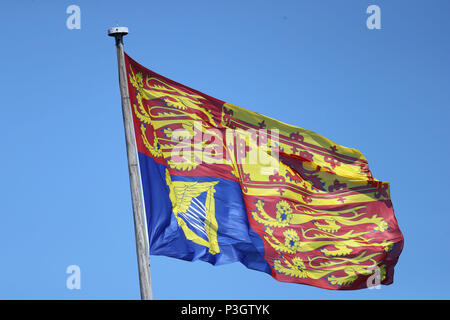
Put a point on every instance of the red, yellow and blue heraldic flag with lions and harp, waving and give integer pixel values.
(223, 184)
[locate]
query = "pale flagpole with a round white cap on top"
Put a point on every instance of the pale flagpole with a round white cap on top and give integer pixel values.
(133, 170)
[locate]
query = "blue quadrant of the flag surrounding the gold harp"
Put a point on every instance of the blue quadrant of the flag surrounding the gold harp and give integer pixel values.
(236, 240)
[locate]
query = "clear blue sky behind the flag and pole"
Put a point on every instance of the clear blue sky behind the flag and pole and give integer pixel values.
(64, 185)
